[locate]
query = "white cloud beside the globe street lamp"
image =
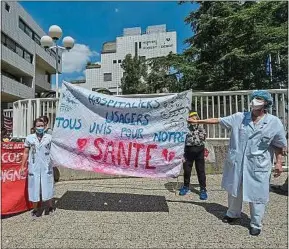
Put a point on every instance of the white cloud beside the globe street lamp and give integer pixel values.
(75, 60)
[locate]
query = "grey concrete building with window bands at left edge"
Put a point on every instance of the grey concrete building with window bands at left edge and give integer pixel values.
(26, 67)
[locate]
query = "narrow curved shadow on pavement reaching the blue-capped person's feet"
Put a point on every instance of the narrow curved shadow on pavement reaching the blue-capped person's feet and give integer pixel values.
(218, 211)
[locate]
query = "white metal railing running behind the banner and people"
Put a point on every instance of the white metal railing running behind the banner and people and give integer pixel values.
(207, 104)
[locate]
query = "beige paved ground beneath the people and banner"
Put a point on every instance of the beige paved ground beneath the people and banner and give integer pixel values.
(143, 213)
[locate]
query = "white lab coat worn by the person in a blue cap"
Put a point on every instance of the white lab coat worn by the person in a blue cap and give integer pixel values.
(250, 156)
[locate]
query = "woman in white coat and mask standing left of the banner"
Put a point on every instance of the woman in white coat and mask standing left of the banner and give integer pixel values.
(40, 172)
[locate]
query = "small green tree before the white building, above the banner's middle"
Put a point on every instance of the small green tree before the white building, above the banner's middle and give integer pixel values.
(135, 74)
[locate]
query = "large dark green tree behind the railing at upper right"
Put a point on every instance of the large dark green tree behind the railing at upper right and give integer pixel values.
(231, 45)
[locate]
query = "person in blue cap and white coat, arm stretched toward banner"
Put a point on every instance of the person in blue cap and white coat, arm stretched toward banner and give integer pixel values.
(255, 136)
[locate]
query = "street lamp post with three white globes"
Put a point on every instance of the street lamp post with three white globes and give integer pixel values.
(50, 42)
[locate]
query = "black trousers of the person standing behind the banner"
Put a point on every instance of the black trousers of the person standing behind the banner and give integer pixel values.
(195, 154)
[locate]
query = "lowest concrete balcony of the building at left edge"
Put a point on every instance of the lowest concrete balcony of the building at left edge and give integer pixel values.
(12, 90)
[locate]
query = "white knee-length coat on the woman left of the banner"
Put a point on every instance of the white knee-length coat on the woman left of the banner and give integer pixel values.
(40, 172)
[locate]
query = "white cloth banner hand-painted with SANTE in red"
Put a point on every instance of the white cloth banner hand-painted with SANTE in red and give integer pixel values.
(121, 136)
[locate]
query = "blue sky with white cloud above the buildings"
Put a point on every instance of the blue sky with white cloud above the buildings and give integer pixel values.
(93, 23)
